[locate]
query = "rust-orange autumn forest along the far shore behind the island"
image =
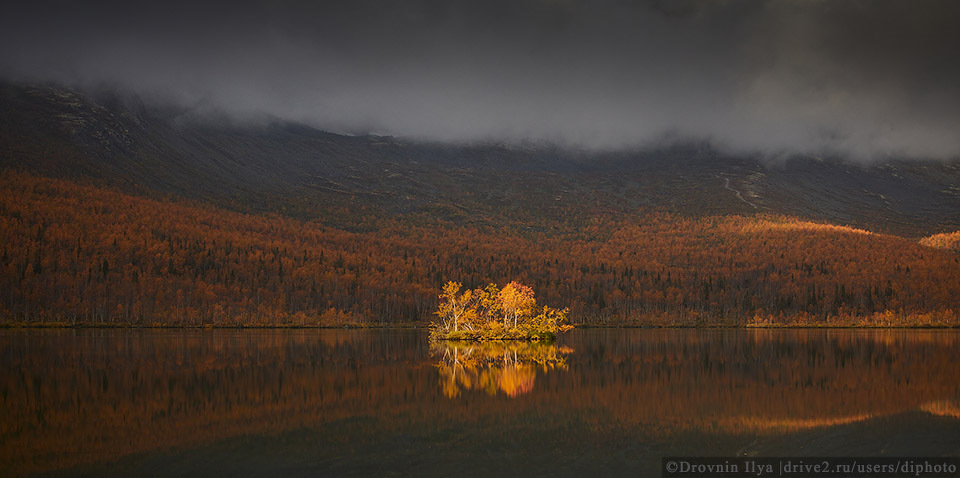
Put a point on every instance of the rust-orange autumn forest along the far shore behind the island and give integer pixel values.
(74, 254)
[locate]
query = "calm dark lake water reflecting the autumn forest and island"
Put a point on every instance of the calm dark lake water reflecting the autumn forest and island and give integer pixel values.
(384, 402)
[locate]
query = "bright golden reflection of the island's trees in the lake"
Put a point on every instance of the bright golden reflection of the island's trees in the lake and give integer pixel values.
(495, 366)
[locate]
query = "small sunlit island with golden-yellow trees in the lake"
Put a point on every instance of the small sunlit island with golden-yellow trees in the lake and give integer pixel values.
(492, 313)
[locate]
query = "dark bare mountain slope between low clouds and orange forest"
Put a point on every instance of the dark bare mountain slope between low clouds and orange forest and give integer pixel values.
(268, 165)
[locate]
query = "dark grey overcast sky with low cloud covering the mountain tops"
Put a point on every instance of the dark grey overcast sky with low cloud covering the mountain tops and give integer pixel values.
(868, 79)
